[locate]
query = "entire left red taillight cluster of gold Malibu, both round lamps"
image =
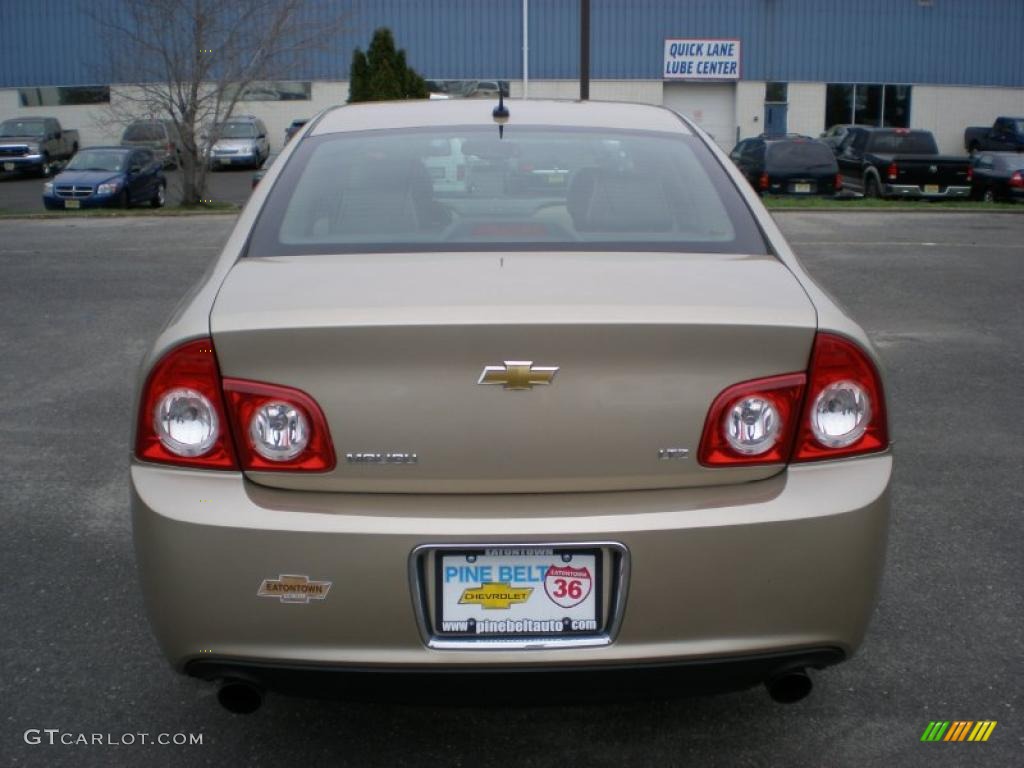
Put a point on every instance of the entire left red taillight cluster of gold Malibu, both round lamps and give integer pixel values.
(189, 417)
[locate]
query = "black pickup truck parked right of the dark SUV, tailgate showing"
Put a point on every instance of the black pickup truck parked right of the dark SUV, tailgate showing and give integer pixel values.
(901, 163)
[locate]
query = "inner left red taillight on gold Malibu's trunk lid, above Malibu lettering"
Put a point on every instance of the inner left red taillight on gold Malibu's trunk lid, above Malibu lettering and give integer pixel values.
(301, 441)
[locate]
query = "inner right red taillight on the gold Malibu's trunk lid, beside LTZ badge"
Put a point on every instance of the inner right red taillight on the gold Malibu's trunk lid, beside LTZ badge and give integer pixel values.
(719, 445)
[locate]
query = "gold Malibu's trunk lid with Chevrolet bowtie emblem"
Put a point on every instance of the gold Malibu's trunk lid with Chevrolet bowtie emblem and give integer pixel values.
(393, 348)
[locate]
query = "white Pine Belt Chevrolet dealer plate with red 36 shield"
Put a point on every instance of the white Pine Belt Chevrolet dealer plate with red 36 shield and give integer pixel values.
(515, 593)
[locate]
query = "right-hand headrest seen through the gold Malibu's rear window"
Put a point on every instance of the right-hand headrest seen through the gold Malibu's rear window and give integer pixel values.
(602, 200)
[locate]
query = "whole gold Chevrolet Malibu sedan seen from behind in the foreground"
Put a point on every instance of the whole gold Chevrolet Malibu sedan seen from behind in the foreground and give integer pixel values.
(618, 428)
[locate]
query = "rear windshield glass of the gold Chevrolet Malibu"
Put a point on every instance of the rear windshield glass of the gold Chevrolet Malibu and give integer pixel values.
(539, 189)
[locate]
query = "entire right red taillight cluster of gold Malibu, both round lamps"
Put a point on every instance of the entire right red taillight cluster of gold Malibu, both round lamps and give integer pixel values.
(836, 410)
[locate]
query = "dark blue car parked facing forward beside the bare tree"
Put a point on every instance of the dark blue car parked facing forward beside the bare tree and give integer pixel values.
(108, 177)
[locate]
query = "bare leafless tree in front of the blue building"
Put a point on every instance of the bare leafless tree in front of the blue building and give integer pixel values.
(192, 61)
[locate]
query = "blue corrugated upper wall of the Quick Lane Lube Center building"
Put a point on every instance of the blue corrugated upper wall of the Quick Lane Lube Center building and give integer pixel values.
(958, 42)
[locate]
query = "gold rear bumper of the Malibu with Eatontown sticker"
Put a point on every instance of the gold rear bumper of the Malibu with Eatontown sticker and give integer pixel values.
(782, 566)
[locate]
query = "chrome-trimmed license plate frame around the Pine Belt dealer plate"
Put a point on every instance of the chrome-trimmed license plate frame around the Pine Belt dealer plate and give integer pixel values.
(606, 599)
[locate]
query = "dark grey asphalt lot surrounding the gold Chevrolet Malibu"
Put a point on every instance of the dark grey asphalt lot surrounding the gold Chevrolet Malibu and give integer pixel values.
(942, 295)
